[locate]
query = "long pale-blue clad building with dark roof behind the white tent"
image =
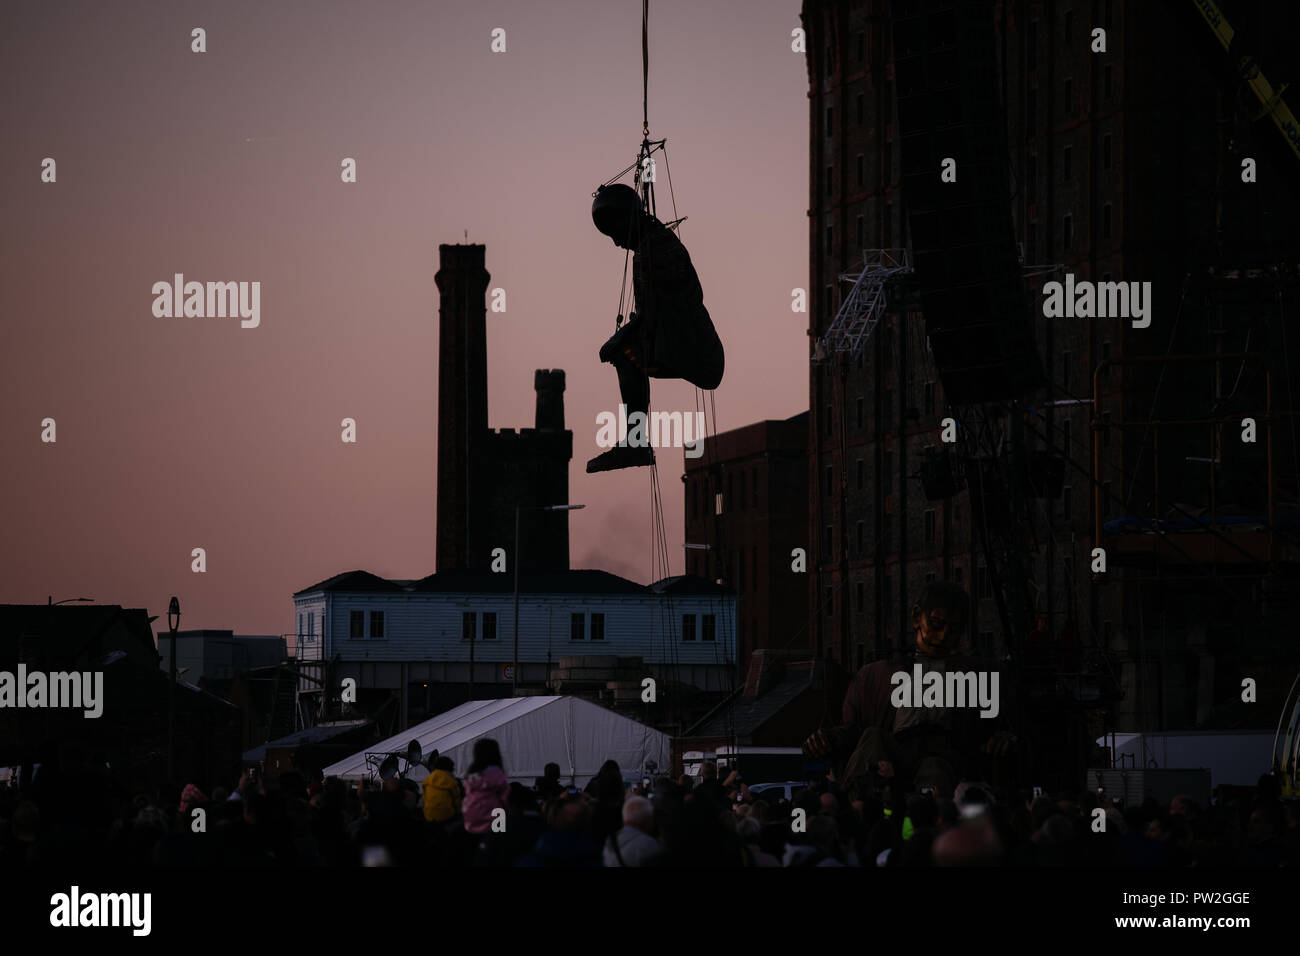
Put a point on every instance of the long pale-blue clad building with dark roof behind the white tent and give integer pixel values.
(457, 631)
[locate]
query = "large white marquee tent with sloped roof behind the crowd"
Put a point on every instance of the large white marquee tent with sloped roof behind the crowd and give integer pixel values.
(532, 733)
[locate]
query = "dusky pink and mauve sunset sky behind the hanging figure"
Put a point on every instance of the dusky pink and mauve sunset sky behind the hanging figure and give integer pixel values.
(181, 434)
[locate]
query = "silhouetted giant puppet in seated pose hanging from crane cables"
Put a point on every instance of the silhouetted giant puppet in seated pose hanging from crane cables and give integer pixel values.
(671, 335)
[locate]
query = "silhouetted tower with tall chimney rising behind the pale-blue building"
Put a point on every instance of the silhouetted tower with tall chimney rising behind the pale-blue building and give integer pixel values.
(486, 474)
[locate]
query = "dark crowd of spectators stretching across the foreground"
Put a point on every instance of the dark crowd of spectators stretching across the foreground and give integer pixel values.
(486, 819)
